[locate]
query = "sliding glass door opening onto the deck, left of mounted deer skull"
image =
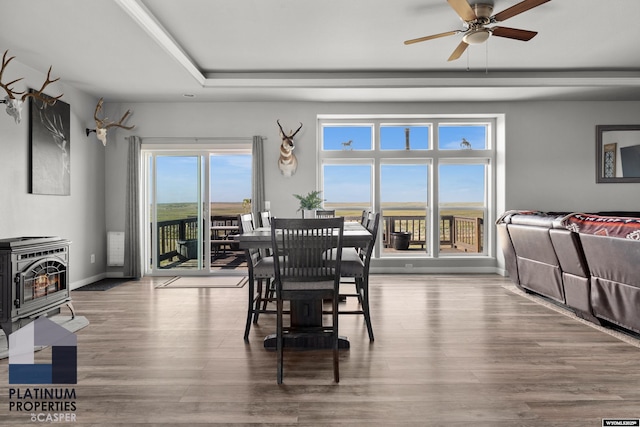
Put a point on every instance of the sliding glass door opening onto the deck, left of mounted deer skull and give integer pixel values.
(193, 200)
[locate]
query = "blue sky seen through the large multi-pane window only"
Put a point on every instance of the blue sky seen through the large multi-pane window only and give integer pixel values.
(407, 182)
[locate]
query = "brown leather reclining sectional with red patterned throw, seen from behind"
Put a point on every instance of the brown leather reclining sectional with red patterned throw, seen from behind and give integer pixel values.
(589, 263)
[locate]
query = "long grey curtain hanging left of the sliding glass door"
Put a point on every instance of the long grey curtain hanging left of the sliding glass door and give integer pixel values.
(132, 256)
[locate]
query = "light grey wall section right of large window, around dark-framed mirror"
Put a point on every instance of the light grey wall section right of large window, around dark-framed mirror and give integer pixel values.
(551, 157)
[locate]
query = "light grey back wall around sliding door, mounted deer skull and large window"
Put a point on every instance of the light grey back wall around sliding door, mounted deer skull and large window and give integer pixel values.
(550, 149)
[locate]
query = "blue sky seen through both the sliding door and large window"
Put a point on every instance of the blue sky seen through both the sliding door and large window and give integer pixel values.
(231, 174)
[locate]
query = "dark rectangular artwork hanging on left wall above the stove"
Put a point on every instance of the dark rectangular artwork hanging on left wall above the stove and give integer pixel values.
(50, 149)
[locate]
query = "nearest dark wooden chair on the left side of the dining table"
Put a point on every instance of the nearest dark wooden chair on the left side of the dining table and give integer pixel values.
(260, 269)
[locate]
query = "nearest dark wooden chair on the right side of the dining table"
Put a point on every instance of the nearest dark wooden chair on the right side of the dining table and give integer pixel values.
(355, 265)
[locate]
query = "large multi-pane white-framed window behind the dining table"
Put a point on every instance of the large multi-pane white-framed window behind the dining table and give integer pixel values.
(431, 178)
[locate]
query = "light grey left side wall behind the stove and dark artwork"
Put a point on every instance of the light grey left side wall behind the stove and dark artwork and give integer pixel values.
(79, 217)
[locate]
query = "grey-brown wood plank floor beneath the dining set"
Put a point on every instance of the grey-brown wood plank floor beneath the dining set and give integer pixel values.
(449, 351)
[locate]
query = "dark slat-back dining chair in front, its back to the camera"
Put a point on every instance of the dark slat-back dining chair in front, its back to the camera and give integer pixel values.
(304, 271)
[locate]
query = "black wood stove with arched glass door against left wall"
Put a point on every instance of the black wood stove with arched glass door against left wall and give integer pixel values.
(34, 279)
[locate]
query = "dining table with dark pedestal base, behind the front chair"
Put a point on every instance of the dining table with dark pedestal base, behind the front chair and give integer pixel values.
(306, 314)
